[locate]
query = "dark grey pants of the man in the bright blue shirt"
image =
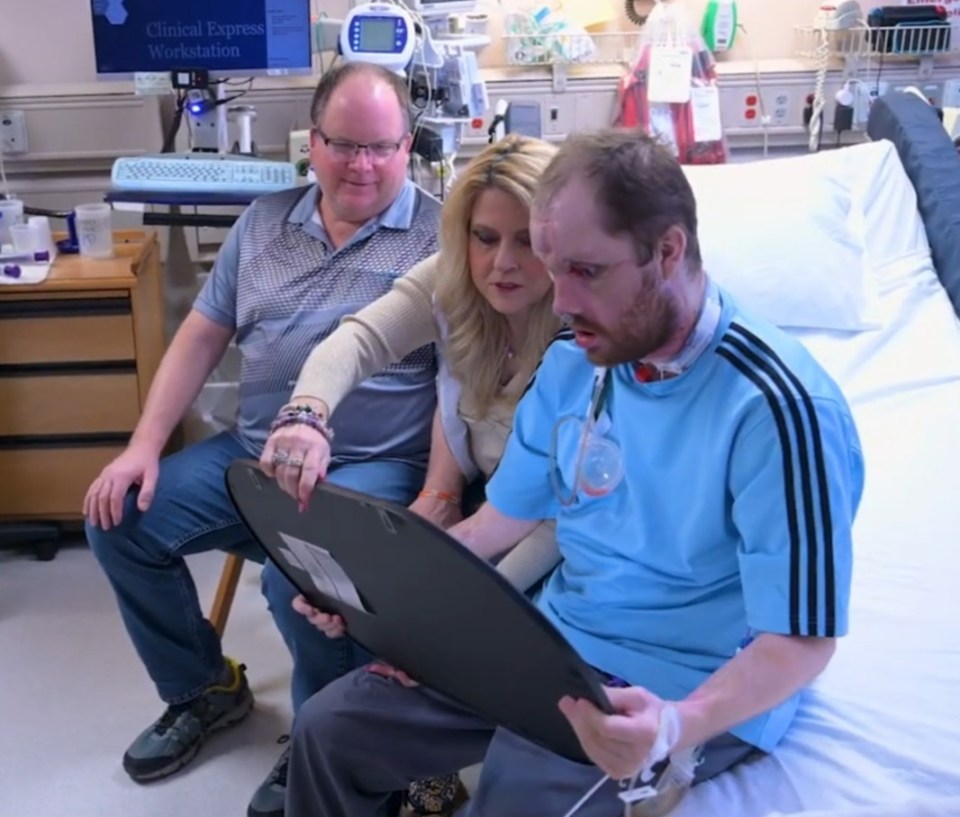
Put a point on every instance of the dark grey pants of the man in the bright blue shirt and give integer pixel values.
(364, 738)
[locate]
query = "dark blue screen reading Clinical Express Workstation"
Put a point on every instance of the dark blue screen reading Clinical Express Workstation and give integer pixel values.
(227, 37)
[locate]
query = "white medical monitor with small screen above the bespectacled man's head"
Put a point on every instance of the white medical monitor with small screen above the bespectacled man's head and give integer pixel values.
(380, 33)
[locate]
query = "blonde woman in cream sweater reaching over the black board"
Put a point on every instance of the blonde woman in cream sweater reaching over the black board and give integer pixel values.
(485, 301)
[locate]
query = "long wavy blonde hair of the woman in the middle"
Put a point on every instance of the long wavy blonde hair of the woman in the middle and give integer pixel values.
(476, 346)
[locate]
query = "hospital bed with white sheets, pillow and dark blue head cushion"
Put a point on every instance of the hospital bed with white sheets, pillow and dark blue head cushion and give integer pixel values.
(876, 301)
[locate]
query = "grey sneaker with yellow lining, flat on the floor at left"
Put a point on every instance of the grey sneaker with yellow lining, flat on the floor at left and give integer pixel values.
(174, 740)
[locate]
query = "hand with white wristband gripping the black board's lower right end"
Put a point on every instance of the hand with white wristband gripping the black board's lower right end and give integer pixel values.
(619, 744)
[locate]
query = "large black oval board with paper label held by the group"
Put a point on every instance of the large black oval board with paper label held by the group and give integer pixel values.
(415, 597)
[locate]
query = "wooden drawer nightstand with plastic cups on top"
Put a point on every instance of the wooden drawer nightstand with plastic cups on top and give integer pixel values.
(77, 355)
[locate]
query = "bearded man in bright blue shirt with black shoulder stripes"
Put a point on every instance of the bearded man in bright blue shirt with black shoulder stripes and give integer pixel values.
(704, 472)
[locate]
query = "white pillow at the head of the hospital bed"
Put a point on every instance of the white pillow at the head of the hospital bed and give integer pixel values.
(780, 236)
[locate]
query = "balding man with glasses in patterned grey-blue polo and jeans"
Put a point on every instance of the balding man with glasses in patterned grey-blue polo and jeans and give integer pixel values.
(292, 266)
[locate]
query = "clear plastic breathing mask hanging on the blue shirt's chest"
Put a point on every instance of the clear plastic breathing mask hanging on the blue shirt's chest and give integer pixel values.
(598, 466)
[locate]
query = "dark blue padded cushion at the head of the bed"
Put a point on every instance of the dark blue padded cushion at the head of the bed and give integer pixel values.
(932, 163)
